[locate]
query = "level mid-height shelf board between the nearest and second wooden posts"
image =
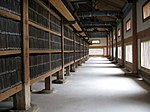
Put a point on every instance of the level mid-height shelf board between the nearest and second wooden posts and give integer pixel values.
(44, 51)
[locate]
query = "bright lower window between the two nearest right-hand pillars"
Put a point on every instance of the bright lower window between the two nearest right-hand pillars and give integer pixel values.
(129, 53)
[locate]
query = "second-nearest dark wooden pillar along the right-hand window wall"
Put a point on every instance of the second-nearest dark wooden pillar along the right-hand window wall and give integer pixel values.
(122, 43)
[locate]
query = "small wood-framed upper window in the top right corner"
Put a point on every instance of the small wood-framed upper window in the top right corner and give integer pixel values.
(146, 10)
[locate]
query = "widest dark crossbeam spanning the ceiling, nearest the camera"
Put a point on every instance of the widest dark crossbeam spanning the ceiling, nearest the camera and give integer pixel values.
(100, 13)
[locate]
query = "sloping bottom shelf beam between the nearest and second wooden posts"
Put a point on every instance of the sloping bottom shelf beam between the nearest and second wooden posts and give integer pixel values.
(45, 75)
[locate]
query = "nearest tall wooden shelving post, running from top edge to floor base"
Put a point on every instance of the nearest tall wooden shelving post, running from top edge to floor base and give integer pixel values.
(22, 100)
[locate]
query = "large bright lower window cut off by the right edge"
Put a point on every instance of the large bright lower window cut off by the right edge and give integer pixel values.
(145, 54)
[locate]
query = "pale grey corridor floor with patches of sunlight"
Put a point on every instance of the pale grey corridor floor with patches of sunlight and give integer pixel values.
(96, 86)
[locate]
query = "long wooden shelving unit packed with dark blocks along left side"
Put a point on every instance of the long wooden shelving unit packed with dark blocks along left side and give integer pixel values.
(45, 47)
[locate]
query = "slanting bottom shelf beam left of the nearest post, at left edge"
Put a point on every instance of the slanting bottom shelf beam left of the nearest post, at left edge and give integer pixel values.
(10, 92)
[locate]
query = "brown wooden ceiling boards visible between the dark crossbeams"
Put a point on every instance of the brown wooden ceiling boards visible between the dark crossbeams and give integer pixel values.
(97, 5)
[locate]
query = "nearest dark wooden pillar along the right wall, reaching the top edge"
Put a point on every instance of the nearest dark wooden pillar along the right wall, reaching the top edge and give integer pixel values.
(134, 42)
